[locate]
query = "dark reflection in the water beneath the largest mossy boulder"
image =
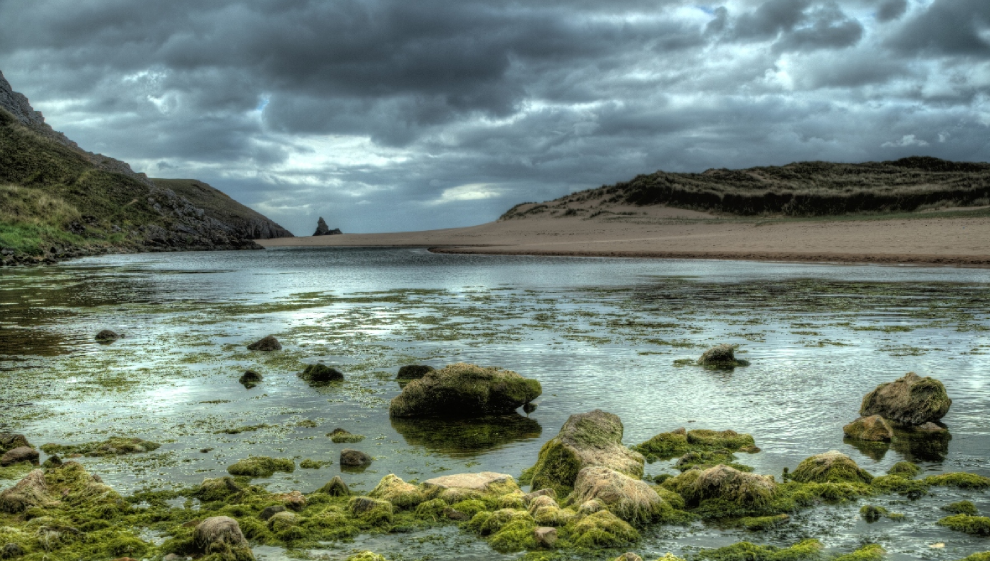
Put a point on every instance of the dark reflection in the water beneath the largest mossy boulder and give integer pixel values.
(464, 437)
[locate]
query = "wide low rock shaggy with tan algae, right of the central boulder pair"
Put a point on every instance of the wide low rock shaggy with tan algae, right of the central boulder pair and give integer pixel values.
(728, 484)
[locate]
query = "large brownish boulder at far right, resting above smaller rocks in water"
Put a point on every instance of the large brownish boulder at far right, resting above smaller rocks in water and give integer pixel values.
(909, 401)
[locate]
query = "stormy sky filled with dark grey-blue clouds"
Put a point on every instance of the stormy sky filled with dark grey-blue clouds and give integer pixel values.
(389, 115)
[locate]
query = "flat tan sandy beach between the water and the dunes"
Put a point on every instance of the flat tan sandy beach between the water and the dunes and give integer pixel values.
(675, 233)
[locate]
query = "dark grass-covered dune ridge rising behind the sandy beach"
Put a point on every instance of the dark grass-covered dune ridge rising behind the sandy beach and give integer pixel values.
(798, 189)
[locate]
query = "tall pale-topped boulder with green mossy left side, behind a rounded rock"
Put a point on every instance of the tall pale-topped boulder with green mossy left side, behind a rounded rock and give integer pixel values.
(585, 440)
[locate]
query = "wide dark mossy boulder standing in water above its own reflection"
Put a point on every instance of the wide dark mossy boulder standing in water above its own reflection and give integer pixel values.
(464, 390)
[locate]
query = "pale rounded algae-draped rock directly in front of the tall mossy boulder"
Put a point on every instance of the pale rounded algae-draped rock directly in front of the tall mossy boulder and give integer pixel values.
(633, 500)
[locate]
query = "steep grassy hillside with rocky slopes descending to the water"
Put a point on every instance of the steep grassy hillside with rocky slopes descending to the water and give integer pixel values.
(63, 202)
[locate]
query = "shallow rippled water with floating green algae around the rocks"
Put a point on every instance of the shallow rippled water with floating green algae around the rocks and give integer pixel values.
(597, 333)
